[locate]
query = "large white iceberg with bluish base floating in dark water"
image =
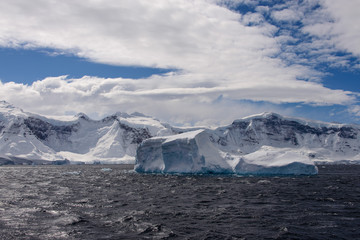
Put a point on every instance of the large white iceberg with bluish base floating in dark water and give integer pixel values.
(196, 152)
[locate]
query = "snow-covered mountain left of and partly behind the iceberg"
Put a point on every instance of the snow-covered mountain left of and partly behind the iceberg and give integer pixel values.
(29, 138)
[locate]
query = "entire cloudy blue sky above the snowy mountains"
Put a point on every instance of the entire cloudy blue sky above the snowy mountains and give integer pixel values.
(186, 62)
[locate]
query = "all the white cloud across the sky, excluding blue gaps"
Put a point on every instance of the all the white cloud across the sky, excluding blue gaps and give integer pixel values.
(215, 50)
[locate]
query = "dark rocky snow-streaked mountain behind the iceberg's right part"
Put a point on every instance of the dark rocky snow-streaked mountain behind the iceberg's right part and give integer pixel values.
(322, 141)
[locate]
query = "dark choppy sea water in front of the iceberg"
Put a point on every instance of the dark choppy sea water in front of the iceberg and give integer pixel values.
(112, 202)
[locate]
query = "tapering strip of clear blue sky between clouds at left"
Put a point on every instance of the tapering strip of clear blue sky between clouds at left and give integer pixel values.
(27, 66)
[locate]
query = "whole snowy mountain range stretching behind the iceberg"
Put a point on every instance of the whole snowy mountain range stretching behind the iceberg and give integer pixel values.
(27, 138)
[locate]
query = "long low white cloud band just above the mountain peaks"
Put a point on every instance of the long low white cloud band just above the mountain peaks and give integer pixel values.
(182, 103)
